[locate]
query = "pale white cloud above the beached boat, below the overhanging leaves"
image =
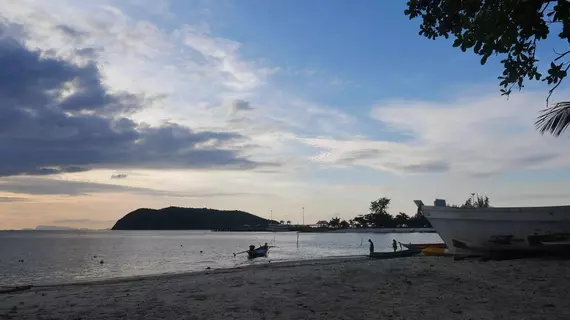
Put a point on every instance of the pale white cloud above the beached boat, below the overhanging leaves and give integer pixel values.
(476, 135)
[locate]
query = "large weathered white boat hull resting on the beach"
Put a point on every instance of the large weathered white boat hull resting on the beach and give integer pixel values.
(484, 231)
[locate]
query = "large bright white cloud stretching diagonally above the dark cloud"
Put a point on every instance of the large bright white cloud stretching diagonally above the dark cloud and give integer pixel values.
(196, 71)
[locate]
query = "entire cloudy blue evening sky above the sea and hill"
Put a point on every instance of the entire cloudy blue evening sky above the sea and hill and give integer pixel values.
(261, 106)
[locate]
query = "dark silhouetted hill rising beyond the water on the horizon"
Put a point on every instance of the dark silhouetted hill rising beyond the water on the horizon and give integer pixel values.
(176, 218)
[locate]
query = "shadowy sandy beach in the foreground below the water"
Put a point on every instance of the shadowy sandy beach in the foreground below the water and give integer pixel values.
(348, 288)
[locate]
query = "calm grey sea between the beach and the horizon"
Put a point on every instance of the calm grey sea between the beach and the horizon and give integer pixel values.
(68, 256)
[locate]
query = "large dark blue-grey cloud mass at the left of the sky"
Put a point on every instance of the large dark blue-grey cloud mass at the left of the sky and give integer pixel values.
(57, 117)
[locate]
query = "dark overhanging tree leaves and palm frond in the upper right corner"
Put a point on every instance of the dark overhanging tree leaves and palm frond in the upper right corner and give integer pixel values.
(512, 29)
